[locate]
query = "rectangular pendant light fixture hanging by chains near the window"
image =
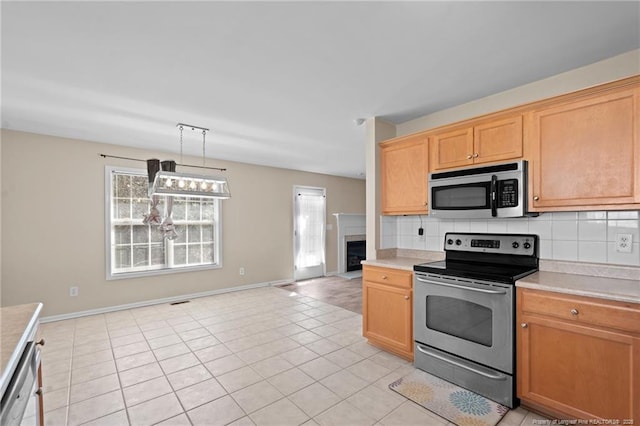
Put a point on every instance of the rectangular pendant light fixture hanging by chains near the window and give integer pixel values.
(168, 182)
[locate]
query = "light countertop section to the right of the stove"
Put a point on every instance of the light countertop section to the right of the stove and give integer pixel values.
(583, 285)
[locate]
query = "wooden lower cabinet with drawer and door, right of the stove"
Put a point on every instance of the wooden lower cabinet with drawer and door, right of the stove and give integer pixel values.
(578, 357)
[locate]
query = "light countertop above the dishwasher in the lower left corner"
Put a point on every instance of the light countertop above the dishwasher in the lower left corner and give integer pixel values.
(17, 326)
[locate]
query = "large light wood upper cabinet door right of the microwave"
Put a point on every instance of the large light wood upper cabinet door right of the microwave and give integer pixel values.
(587, 152)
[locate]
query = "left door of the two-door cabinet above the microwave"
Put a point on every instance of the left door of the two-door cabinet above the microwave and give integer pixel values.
(452, 149)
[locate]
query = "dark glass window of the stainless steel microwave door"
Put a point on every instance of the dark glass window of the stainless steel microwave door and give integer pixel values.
(469, 196)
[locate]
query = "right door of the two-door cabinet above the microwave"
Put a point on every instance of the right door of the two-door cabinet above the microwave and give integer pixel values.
(498, 140)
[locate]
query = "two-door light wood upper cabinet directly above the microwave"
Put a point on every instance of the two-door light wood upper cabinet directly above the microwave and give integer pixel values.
(491, 141)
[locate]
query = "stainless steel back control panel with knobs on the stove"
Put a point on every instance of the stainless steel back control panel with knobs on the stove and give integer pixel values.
(520, 244)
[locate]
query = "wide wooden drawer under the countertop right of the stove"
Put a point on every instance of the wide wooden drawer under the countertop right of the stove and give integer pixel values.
(583, 310)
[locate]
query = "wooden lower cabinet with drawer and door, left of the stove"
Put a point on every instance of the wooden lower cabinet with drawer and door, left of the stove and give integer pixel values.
(387, 309)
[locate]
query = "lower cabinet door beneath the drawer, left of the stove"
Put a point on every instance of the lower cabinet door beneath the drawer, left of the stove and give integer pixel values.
(387, 314)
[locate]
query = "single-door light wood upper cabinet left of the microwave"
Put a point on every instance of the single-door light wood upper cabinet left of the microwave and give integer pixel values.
(404, 173)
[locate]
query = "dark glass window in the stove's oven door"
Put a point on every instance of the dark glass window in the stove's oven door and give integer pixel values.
(460, 318)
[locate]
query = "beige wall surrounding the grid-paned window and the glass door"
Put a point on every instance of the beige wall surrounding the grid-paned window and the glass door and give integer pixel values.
(53, 235)
